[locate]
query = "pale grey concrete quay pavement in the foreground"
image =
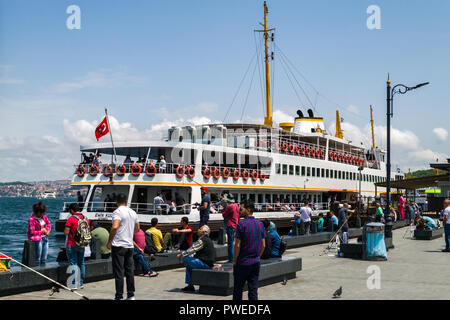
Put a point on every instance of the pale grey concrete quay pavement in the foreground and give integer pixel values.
(415, 270)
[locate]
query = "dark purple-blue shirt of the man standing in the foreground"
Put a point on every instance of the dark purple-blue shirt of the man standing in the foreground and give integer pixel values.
(251, 232)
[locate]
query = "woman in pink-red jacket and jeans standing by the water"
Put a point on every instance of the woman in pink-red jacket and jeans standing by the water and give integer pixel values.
(38, 231)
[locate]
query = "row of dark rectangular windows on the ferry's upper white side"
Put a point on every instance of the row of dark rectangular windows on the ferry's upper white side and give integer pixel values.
(326, 173)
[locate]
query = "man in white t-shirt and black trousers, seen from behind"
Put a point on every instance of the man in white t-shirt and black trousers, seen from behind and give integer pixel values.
(124, 225)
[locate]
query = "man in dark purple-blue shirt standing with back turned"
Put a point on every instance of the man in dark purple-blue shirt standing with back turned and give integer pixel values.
(249, 245)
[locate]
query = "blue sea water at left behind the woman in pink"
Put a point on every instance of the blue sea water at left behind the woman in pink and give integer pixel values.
(14, 215)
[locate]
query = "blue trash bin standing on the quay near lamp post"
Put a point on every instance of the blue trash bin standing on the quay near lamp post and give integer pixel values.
(373, 238)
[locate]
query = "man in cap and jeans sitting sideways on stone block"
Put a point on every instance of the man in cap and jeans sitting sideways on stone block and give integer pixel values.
(201, 255)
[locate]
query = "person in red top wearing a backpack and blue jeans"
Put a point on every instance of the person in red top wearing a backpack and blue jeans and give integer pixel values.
(78, 237)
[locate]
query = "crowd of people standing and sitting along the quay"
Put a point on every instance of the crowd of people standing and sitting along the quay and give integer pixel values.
(248, 239)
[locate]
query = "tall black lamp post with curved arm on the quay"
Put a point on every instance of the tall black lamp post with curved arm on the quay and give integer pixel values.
(401, 89)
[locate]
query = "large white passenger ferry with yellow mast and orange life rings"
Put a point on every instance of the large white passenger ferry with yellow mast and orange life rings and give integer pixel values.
(278, 168)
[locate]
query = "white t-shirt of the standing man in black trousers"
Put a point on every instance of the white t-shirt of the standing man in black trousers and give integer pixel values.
(124, 235)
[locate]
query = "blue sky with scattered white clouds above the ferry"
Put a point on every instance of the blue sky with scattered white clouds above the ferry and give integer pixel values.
(152, 62)
